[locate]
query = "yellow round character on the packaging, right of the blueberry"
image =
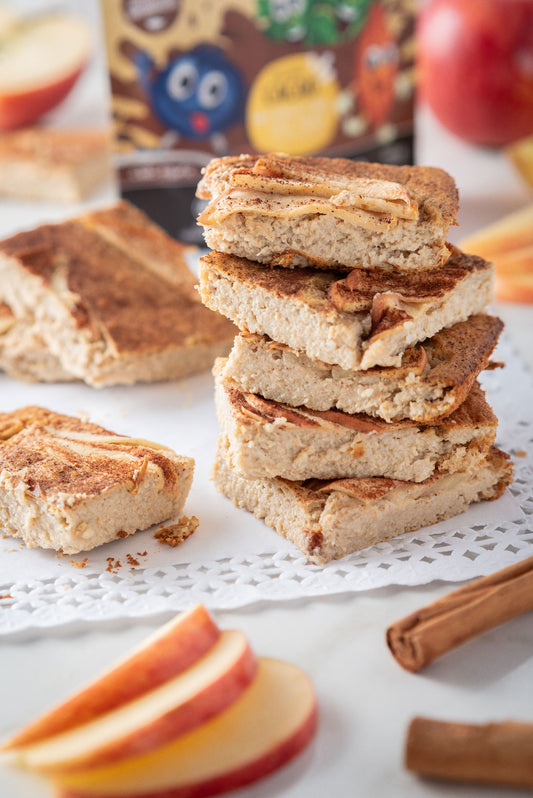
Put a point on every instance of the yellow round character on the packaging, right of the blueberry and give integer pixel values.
(293, 105)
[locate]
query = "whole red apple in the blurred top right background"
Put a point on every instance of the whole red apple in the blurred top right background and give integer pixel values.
(476, 67)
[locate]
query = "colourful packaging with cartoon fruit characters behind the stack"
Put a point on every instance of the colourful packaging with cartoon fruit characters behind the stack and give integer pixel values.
(194, 79)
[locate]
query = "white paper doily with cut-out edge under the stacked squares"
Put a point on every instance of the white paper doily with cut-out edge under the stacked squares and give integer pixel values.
(233, 559)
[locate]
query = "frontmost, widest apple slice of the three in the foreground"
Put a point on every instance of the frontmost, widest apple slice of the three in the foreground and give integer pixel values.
(272, 722)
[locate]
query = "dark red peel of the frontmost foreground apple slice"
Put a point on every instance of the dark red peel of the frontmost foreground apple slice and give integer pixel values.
(254, 771)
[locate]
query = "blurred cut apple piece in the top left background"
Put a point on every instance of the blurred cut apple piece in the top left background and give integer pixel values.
(41, 58)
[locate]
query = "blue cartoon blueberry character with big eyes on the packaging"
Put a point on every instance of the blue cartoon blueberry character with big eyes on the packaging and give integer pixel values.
(198, 95)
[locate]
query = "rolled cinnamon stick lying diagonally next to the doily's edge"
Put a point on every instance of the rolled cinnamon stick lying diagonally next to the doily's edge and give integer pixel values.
(426, 634)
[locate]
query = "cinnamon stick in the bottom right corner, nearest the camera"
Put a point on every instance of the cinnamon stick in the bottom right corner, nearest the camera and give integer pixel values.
(493, 753)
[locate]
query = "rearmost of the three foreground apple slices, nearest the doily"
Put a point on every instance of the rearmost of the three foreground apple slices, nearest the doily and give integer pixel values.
(165, 654)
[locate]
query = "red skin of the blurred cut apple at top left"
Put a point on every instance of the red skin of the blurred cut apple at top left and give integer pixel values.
(21, 109)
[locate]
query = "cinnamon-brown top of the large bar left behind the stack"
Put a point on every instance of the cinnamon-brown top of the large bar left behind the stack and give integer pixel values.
(124, 280)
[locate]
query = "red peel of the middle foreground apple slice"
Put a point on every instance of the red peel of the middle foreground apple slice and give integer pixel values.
(216, 697)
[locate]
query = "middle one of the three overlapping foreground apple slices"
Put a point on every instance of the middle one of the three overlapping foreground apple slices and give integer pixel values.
(179, 705)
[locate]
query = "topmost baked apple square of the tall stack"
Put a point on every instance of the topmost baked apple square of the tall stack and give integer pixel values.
(328, 212)
